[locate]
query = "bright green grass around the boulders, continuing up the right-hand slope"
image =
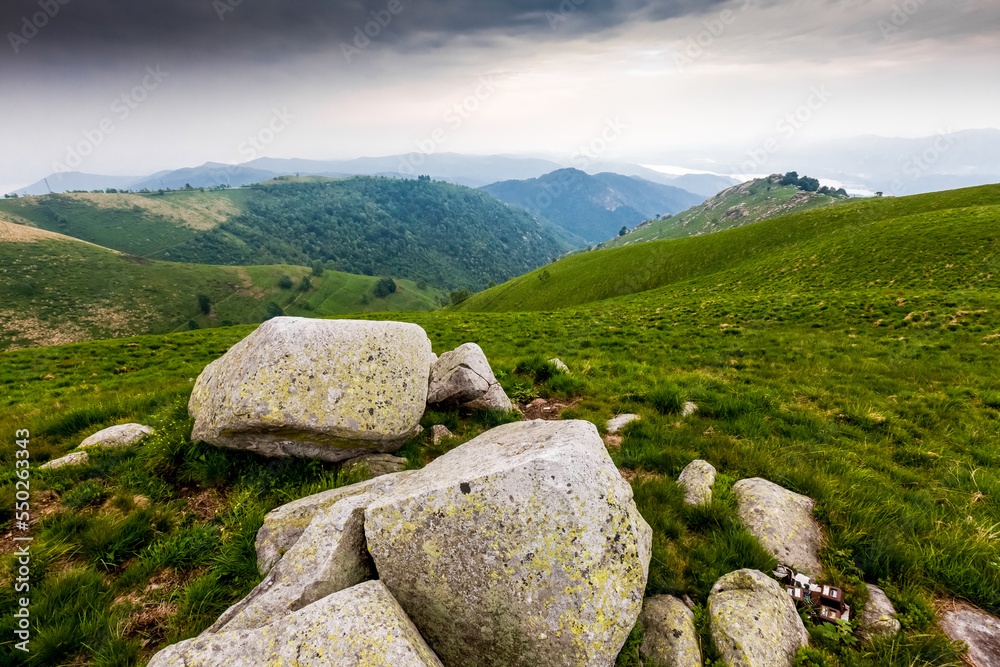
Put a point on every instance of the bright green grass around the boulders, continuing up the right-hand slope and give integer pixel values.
(848, 354)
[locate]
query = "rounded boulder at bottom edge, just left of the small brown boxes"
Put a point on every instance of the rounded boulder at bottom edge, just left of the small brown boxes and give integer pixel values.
(754, 621)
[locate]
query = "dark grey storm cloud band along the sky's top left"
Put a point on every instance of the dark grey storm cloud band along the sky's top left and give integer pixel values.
(266, 28)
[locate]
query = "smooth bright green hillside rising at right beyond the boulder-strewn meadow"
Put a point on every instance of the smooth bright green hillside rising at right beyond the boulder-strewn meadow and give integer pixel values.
(937, 240)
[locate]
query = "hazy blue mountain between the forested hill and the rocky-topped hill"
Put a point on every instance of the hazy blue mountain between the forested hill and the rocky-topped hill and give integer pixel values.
(594, 207)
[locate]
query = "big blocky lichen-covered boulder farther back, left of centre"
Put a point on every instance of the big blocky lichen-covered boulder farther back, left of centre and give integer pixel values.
(326, 389)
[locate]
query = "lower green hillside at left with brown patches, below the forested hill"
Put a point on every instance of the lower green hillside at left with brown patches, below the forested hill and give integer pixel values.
(60, 290)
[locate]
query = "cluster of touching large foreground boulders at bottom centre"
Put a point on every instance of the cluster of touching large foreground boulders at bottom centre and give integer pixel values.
(521, 547)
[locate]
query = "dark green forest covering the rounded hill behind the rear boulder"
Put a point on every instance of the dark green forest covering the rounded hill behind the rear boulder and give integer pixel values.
(446, 235)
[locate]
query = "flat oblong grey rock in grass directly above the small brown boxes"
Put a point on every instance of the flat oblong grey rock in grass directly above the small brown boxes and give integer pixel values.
(783, 523)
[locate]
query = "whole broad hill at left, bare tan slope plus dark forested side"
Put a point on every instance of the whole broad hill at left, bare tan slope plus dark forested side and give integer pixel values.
(446, 235)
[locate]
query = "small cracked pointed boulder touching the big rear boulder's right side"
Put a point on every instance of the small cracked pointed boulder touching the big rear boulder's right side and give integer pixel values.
(463, 377)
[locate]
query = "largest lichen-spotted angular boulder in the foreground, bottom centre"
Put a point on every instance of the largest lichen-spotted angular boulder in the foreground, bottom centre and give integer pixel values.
(522, 547)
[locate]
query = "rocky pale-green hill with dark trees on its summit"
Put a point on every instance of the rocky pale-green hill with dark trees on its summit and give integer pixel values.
(737, 206)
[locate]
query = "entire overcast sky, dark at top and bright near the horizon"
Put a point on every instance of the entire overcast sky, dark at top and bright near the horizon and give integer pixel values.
(107, 86)
